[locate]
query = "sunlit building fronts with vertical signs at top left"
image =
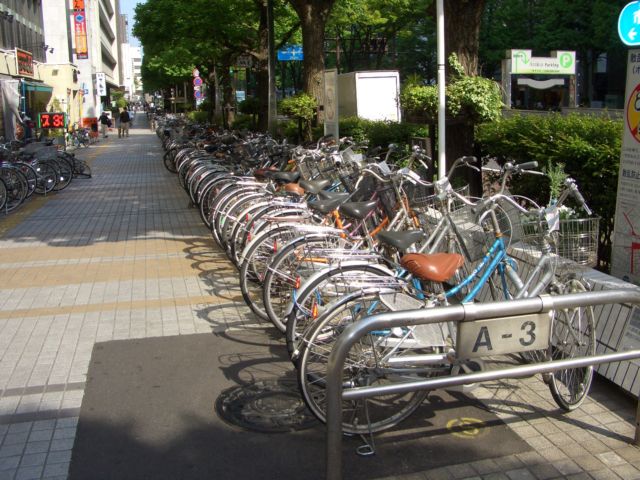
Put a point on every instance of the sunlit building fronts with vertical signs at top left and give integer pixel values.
(62, 55)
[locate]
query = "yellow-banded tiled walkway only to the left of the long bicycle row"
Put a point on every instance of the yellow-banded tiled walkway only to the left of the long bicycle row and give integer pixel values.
(117, 256)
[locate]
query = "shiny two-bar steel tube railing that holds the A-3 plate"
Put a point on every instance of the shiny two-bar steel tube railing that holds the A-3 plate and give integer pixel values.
(457, 313)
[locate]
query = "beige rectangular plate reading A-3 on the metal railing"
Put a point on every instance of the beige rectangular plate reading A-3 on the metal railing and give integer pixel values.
(483, 338)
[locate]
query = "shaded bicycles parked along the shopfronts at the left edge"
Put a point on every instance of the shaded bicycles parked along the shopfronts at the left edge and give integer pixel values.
(35, 167)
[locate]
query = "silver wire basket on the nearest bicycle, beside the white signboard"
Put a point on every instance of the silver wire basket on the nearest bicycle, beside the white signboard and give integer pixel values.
(578, 240)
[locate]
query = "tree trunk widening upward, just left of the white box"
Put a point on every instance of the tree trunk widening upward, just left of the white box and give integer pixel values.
(313, 16)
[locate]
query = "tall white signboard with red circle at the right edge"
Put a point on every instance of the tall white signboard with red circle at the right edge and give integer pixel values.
(625, 255)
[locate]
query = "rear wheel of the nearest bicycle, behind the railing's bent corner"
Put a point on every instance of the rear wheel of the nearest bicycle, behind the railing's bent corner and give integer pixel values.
(362, 368)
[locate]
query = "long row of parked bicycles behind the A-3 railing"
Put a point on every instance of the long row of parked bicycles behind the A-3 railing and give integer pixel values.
(328, 234)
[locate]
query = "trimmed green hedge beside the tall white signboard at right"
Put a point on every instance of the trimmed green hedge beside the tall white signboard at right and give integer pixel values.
(588, 146)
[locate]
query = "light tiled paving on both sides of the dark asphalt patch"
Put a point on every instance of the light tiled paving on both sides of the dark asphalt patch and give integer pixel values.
(122, 255)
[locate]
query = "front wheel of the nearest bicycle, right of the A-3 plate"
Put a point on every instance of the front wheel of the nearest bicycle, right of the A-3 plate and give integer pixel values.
(572, 335)
